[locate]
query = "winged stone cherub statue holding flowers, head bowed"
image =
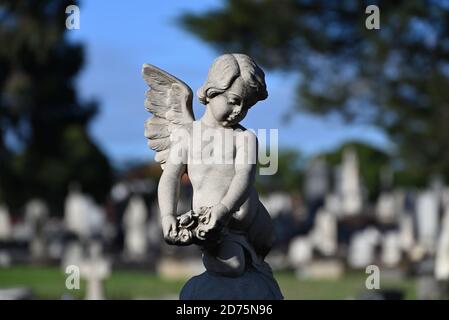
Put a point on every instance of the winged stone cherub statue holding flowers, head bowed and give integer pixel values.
(227, 220)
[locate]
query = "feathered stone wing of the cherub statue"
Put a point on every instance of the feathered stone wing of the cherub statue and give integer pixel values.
(170, 101)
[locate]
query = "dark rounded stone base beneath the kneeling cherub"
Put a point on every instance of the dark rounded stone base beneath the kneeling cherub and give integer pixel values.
(252, 285)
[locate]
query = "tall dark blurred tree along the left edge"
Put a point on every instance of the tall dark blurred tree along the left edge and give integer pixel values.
(44, 144)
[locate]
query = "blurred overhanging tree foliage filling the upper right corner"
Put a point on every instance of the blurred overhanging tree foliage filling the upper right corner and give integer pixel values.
(395, 78)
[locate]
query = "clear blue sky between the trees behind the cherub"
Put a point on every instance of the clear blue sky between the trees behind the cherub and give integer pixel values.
(119, 36)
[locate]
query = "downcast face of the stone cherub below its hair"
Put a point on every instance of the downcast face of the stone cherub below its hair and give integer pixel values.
(229, 108)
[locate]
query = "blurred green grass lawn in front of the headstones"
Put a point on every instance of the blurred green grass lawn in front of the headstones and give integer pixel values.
(49, 283)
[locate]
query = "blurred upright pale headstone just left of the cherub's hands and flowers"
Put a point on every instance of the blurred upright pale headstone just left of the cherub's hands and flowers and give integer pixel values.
(135, 225)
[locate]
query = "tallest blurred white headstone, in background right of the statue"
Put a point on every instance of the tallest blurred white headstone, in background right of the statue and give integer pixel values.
(350, 188)
